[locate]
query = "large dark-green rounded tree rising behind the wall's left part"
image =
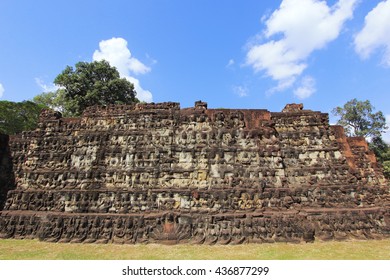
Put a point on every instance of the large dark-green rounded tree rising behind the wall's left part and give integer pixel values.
(95, 83)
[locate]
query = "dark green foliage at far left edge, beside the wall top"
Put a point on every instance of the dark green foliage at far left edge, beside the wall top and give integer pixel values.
(16, 117)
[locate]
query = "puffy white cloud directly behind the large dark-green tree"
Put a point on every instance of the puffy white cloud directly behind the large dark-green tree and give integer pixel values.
(116, 52)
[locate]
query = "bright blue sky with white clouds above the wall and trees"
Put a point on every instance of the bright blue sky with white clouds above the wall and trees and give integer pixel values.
(230, 53)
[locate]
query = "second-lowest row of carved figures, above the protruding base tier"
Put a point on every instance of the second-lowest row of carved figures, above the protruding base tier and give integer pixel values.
(220, 201)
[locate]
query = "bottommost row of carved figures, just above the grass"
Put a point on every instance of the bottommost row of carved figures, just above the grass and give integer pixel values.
(178, 228)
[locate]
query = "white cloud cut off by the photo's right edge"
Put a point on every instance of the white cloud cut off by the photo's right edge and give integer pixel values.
(375, 33)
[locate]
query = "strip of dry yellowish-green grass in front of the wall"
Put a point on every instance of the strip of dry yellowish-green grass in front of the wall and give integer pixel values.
(349, 250)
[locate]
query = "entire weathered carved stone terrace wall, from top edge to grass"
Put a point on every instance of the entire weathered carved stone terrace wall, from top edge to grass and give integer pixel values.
(158, 173)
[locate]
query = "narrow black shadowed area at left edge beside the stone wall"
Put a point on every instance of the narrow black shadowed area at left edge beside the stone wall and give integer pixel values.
(7, 179)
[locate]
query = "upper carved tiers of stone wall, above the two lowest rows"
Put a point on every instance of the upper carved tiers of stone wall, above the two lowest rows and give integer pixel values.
(163, 147)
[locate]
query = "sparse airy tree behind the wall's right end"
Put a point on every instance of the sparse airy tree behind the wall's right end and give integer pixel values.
(358, 119)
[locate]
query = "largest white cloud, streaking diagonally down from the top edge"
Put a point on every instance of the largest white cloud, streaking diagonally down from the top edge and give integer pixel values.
(303, 26)
